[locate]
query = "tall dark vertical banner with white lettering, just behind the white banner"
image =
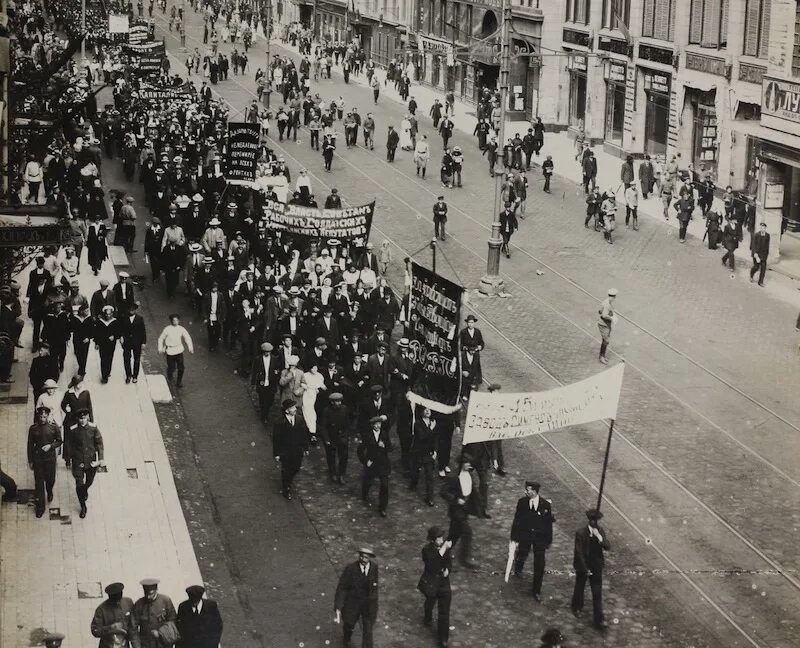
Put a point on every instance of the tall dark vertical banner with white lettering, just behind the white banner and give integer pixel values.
(435, 315)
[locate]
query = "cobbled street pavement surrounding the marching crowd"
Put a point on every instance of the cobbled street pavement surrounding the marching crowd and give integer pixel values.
(702, 492)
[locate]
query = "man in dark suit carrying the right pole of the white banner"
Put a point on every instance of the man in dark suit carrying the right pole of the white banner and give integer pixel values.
(588, 561)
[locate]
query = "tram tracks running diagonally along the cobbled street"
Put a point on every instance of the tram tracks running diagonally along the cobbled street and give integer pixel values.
(686, 574)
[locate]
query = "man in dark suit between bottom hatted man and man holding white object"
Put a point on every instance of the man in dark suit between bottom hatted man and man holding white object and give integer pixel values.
(435, 581)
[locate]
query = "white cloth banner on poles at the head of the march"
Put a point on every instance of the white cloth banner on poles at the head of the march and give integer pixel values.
(496, 415)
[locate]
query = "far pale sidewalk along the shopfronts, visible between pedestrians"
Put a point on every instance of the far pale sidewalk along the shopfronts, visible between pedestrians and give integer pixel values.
(563, 150)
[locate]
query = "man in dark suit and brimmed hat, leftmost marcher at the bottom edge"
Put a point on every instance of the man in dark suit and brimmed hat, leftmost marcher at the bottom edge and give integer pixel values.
(357, 597)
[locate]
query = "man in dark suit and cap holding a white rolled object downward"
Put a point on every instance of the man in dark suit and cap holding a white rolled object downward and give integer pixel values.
(532, 528)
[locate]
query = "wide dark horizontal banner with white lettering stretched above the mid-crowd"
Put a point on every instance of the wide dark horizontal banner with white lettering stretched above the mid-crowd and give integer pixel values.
(347, 224)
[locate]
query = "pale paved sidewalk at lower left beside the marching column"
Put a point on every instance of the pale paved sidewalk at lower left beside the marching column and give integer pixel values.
(53, 571)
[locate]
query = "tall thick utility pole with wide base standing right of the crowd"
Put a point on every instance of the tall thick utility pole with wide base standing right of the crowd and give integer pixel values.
(491, 283)
